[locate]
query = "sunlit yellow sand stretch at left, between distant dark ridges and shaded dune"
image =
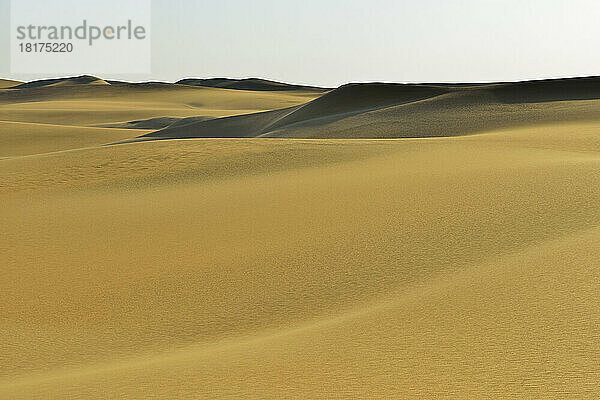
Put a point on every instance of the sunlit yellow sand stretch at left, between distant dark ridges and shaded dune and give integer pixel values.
(112, 105)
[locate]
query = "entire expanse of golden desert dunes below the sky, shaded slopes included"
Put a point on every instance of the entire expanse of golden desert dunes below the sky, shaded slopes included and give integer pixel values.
(229, 239)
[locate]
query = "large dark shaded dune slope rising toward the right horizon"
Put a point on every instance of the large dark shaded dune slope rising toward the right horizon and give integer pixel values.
(377, 110)
